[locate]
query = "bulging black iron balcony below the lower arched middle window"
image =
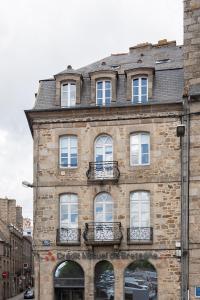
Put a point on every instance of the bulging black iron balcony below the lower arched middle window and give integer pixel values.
(102, 233)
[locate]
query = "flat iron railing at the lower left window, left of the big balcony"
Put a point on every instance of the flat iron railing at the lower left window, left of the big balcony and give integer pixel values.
(68, 236)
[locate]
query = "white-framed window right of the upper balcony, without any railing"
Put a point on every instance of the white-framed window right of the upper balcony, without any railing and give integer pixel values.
(140, 148)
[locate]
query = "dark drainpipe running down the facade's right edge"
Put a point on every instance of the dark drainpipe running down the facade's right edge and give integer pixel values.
(185, 144)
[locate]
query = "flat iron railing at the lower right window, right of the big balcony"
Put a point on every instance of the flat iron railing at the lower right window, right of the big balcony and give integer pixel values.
(140, 235)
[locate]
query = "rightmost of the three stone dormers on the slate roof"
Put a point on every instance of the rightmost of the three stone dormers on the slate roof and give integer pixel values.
(140, 85)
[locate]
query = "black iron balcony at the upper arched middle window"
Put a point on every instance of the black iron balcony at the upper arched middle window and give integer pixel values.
(105, 170)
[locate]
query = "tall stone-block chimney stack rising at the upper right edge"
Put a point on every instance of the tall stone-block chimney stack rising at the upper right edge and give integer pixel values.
(192, 48)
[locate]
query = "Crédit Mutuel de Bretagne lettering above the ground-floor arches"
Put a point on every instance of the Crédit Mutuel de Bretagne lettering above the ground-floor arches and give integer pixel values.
(89, 255)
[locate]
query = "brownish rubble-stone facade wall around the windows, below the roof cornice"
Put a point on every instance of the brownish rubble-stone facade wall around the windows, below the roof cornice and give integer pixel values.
(161, 178)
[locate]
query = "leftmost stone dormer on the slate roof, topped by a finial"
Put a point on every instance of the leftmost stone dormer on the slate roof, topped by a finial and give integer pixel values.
(68, 88)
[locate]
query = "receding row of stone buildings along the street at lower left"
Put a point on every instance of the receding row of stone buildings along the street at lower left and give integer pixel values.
(15, 251)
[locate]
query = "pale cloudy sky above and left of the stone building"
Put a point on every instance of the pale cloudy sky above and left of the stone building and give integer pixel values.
(39, 38)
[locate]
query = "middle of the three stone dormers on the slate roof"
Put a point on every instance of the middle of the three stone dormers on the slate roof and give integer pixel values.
(103, 87)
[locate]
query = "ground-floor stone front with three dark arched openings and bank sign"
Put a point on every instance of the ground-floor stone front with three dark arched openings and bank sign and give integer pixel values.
(115, 275)
